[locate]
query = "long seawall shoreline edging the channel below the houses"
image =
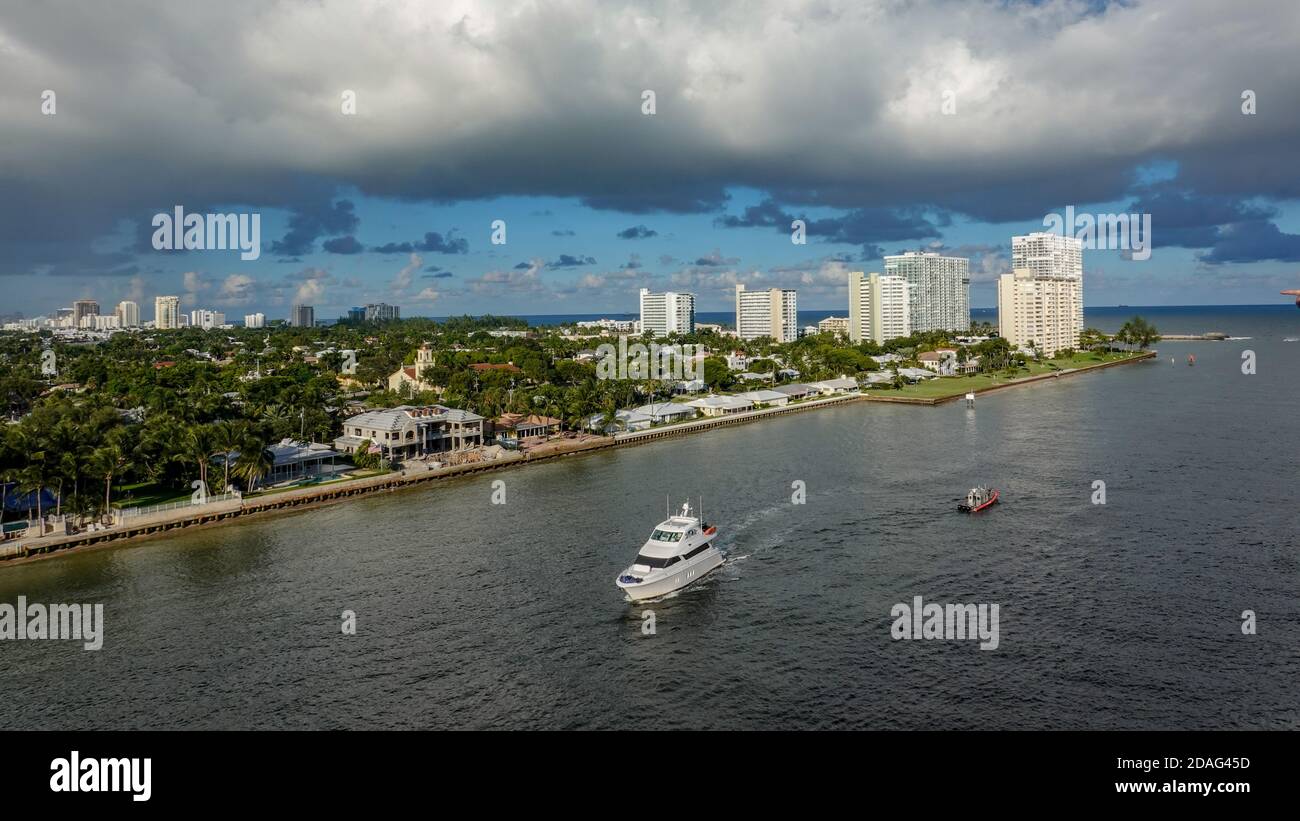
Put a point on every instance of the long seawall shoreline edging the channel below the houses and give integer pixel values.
(49, 548)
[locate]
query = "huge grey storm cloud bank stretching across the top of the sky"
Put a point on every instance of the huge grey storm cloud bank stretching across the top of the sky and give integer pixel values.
(1056, 105)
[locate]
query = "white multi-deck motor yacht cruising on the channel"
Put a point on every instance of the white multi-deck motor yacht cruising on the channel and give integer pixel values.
(679, 553)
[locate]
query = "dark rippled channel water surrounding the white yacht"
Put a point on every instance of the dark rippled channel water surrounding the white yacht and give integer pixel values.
(473, 615)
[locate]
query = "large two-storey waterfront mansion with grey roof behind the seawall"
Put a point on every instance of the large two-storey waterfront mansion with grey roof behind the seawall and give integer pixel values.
(409, 431)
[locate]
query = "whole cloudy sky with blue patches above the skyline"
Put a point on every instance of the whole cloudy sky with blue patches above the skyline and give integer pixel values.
(470, 112)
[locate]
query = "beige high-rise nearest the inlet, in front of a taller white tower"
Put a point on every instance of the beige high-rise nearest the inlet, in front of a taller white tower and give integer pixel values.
(1047, 311)
